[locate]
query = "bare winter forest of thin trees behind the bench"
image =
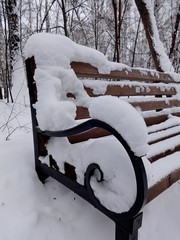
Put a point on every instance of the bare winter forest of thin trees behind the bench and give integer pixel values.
(117, 28)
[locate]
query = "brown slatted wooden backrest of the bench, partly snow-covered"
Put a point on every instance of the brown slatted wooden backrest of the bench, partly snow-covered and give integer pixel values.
(145, 89)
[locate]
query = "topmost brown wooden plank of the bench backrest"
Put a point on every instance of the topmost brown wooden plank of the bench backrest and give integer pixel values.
(86, 70)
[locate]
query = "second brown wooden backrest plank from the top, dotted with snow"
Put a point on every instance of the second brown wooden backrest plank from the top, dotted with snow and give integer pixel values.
(116, 90)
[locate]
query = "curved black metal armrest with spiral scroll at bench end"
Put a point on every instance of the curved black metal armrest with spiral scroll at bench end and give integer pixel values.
(86, 191)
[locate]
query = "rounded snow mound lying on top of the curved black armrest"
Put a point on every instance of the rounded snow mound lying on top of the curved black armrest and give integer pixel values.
(124, 118)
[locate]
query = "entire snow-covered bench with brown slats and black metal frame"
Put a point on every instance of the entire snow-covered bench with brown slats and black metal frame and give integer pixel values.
(95, 144)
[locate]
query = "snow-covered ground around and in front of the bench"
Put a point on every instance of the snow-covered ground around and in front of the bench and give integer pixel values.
(30, 210)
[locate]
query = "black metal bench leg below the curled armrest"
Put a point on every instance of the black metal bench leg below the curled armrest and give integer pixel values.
(128, 230)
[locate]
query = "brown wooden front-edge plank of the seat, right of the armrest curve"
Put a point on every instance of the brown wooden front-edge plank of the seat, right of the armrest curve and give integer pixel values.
(162, 185)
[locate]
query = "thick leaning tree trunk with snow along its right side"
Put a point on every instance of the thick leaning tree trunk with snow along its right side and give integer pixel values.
(160, 58)
